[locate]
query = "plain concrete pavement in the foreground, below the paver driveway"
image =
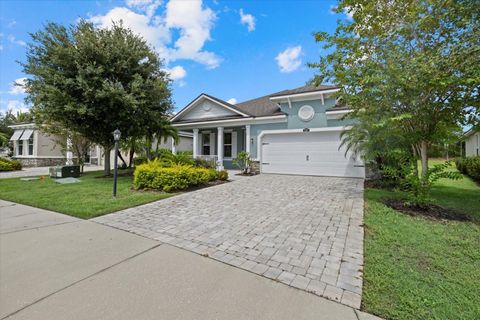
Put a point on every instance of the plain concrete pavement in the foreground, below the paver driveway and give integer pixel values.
(57, 267)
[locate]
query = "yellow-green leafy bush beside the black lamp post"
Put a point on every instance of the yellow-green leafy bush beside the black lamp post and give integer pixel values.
(153, 175)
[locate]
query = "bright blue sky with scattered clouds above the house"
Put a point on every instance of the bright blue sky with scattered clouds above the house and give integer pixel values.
(230, 49)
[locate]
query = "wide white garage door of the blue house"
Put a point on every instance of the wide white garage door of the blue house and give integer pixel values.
(308, 153)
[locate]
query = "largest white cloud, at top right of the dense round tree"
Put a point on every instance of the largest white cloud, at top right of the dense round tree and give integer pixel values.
(190, 18)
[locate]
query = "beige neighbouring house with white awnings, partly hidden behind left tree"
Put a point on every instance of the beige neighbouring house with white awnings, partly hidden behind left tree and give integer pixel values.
(35, 148)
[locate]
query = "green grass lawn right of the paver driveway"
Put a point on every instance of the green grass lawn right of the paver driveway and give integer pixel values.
(418, 268)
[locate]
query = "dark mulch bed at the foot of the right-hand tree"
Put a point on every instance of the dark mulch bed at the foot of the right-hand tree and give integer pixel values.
(431, 211)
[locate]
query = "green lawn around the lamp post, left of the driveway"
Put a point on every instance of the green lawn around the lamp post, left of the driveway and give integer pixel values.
(90, 198)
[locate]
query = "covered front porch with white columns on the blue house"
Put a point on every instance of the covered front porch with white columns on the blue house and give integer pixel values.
(221, 144)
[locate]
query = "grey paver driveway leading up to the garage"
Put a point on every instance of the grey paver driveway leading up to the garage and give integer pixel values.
(303, 231)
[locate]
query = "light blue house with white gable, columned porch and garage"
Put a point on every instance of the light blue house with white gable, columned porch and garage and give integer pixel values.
(289, 132)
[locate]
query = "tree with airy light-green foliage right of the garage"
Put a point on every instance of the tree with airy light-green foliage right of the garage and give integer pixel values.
(414, 65)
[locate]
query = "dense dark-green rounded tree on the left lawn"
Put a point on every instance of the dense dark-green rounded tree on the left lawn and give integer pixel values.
(93, 81)
